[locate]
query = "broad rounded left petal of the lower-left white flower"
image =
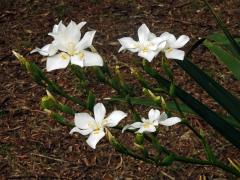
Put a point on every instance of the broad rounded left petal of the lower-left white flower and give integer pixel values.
(84, 121)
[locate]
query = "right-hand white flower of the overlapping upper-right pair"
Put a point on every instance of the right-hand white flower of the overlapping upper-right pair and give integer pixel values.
(172, 46)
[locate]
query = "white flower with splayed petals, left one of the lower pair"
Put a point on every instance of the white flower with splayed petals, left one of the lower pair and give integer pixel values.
(86, 124)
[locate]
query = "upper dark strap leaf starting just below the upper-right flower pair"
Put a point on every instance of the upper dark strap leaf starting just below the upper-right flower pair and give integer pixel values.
(221, 95)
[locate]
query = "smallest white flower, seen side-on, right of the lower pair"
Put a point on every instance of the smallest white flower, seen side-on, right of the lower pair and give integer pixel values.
(150, 124)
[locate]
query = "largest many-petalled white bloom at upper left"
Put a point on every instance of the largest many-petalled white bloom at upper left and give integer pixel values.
(68, 41)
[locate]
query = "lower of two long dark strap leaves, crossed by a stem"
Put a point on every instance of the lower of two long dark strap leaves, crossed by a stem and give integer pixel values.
(207, 114)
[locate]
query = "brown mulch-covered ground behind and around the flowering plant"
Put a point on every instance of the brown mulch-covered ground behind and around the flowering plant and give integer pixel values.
(32, 146)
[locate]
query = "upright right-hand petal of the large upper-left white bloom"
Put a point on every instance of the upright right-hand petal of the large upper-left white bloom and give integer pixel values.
(86, 41)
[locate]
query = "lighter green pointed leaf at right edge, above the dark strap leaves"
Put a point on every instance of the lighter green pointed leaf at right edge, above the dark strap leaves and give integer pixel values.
(225, 57)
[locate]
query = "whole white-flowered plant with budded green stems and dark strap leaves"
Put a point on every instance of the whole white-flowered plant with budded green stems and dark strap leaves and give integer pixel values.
(68, 49)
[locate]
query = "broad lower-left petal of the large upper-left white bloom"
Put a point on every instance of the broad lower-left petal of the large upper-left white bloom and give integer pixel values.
(59, 61)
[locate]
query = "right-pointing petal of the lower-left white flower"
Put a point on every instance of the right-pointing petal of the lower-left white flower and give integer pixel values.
(114, 118)
